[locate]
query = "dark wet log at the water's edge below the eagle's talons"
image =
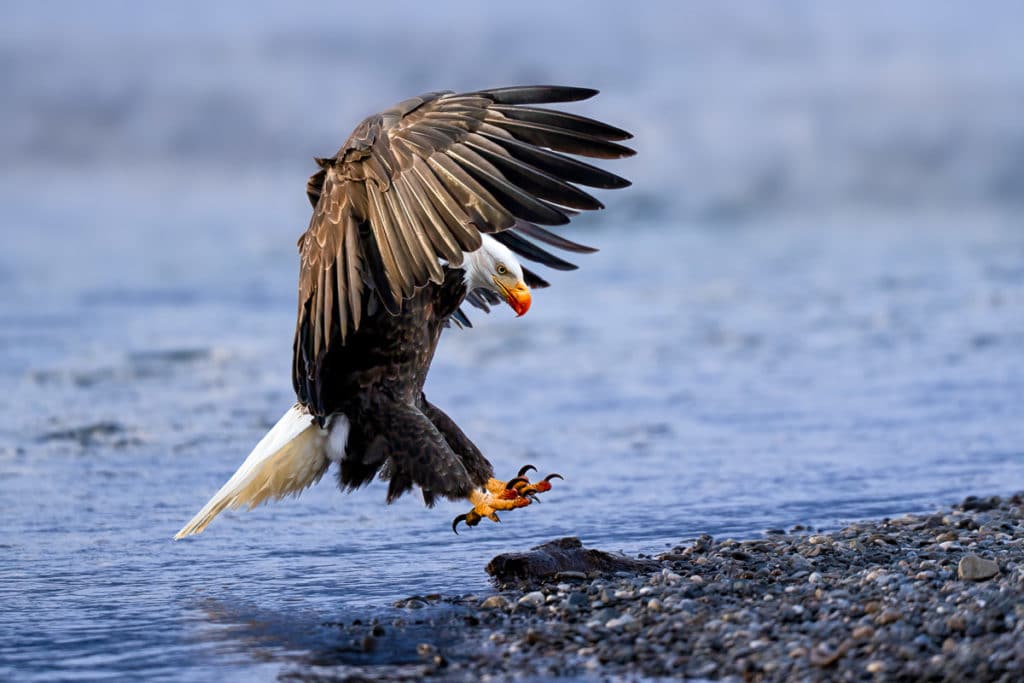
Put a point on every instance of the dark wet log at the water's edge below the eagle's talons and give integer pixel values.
(563, 557)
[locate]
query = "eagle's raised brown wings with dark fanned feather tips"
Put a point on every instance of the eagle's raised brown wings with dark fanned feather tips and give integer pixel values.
(420, 183)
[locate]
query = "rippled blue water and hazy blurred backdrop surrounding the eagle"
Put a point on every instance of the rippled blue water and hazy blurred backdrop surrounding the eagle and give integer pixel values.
(809, 309)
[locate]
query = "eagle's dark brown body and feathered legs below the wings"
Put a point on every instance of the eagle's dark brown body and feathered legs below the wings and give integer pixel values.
(376, 381)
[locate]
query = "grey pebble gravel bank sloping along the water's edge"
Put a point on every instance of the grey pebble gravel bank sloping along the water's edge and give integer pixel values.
(924, 597)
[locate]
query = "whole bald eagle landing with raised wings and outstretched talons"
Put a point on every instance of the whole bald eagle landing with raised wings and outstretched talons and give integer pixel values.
(425, 207)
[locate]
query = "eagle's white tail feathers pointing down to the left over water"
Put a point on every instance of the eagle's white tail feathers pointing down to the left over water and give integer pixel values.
(290, 458)
